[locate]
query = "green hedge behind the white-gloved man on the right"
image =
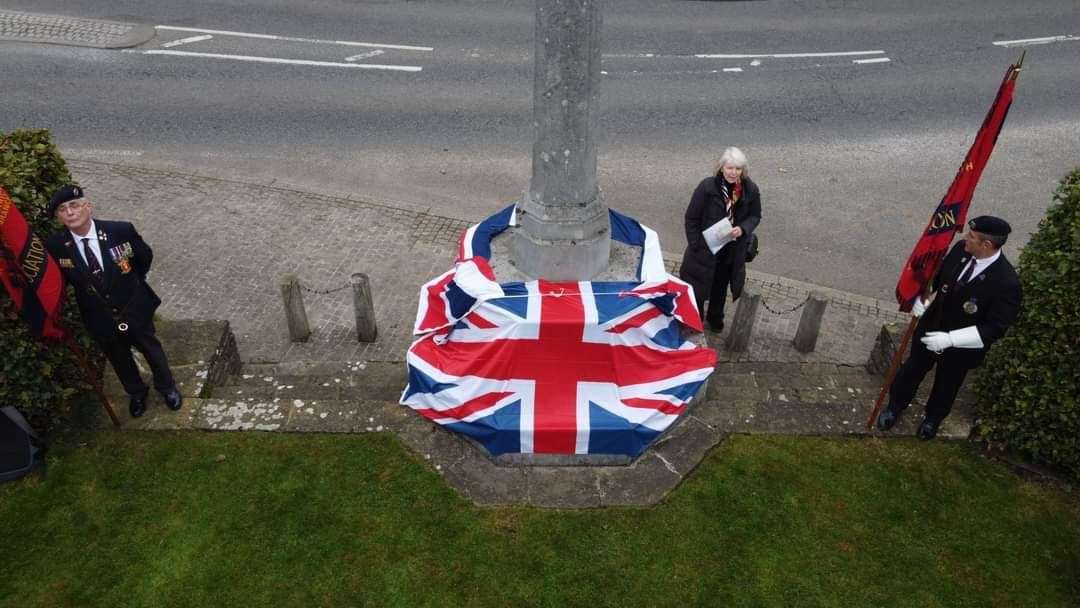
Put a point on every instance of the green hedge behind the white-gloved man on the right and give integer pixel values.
(1030, 385)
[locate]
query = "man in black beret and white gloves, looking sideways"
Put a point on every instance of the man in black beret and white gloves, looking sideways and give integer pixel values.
(978, 299)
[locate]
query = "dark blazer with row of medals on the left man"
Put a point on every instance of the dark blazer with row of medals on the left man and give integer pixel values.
(123, 294)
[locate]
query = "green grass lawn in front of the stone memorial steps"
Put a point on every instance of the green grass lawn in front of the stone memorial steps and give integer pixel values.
(194, 519)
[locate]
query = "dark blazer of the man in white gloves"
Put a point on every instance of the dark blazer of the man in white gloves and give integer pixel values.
(990, 302)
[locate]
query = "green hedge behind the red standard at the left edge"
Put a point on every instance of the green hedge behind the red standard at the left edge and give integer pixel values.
(40, 380)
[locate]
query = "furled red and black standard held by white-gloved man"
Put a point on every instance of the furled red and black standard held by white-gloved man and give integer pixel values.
(951, 214)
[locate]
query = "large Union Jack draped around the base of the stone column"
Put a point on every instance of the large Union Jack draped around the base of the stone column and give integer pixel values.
(556, 368)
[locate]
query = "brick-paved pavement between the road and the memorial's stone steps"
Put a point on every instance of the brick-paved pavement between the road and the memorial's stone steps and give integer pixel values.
(222, 248)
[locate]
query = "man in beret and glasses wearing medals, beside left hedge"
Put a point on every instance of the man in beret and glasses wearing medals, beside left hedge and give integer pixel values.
(106, 263)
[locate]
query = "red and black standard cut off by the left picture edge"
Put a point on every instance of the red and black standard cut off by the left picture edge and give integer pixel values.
(29, 274)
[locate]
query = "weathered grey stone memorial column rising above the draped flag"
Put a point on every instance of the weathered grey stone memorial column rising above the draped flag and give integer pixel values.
(564, 231)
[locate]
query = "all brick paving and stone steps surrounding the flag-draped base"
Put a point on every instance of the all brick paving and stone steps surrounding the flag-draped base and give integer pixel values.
(222, 247)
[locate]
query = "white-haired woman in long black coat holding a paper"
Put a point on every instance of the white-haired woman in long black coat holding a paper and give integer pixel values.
(728, 195)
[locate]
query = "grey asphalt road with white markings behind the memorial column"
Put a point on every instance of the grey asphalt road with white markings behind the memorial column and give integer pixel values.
(852, 152)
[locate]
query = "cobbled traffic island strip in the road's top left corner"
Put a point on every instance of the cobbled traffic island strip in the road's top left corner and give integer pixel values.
(100, 34)
